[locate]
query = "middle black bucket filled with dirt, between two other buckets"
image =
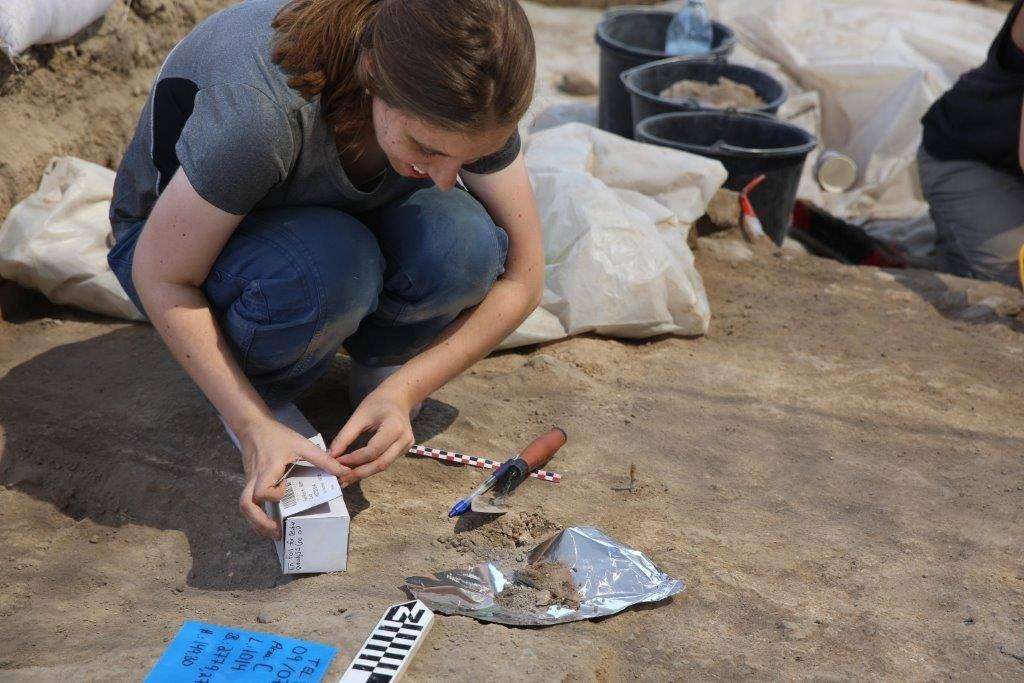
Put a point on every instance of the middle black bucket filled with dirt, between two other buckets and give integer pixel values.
(645, 84)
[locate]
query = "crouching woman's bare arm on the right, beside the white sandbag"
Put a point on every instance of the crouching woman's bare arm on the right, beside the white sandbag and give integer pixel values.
(509, 199)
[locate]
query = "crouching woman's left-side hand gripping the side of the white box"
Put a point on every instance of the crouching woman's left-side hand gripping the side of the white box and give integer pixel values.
(267, 453)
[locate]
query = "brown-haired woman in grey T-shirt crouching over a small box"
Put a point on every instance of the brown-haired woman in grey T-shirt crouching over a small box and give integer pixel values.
(294, 188)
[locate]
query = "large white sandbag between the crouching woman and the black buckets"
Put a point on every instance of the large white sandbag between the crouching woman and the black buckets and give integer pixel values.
(616, 216)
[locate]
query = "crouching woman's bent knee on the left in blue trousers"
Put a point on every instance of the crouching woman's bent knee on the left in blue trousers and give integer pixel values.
(294, 284)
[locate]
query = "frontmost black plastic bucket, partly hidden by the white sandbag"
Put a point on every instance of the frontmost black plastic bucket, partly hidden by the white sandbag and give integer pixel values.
(748, 145)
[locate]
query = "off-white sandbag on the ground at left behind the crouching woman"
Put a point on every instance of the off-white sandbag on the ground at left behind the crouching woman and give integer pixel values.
(57, 240)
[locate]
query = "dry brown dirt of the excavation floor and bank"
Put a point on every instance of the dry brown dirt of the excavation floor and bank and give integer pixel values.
(835, 469)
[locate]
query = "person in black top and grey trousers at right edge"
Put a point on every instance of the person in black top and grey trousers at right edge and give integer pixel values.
(971, 161)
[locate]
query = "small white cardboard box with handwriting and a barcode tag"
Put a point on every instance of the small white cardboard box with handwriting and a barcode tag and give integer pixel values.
(315, 522)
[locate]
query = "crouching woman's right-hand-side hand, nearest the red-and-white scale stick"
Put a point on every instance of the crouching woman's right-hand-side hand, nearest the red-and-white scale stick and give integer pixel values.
(389, 418)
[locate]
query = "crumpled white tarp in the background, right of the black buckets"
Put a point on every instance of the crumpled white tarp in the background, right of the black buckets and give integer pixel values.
(877, 66)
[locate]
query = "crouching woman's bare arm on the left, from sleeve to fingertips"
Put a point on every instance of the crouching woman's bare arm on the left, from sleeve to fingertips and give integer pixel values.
(179, 246)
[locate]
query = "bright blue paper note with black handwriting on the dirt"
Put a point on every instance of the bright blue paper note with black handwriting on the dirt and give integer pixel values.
(211, 654)
